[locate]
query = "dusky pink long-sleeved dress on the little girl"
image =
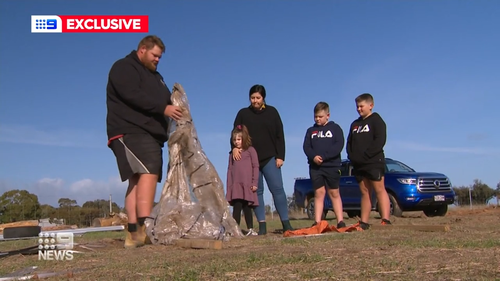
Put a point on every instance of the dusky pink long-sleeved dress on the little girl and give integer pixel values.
(241, 176)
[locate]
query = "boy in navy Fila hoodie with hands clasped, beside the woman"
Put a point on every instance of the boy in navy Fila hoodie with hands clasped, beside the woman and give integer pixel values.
(323, 144)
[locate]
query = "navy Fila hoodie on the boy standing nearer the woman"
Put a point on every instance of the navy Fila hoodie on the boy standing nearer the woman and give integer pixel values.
(326, 141)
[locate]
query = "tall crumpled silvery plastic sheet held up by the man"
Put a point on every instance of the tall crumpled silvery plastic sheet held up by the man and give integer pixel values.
(192, 202)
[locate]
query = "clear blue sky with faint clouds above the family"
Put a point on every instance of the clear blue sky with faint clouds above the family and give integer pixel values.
(432, 67)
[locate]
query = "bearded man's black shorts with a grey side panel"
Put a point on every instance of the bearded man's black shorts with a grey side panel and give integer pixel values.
(137, 154)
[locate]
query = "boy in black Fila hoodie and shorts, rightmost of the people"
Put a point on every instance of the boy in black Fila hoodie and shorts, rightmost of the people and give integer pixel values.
(365, 149)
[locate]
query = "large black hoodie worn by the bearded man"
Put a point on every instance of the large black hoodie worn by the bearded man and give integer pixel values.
(136, 99)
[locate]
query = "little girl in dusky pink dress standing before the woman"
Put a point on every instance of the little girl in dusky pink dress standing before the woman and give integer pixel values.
(242, 178)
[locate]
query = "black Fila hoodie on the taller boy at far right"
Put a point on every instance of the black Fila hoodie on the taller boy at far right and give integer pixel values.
(366, 141)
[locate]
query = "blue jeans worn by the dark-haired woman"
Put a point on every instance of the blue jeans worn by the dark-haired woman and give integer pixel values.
(274, 181)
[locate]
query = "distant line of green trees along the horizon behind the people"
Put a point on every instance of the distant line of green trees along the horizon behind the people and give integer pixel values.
(19, 205)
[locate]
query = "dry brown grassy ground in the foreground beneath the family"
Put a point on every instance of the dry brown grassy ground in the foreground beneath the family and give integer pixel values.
(469, 251)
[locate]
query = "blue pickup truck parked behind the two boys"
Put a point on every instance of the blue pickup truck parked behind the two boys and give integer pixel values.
(408, 191)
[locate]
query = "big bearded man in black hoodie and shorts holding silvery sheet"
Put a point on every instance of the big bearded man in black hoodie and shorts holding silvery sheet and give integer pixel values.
(138, 102)
